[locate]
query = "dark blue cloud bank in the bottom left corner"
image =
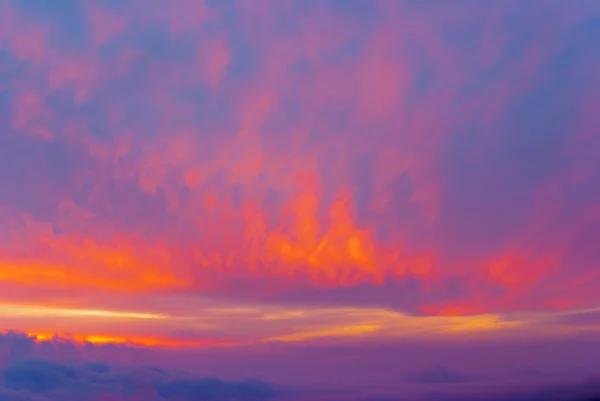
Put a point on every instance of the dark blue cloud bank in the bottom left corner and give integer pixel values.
(40, 379)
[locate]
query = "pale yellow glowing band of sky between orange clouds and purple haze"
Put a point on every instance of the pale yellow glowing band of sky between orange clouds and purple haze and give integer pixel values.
(264, 322)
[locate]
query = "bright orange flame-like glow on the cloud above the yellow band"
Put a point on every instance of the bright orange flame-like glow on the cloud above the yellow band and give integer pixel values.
(330, 250)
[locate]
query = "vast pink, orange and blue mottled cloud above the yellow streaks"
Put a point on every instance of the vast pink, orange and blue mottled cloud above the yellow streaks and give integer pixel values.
(433, 159)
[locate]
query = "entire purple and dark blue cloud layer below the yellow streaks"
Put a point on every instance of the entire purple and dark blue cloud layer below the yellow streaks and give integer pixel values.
(65, 370)
